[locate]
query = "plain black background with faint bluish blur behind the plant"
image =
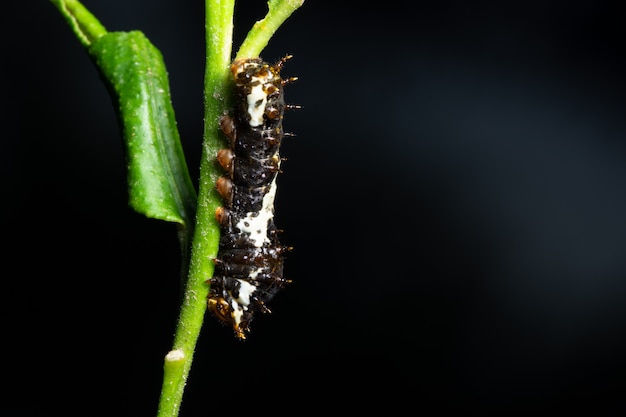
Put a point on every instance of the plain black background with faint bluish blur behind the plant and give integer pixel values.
(455, 195)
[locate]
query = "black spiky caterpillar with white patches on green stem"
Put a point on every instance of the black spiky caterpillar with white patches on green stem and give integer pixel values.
(249, 266)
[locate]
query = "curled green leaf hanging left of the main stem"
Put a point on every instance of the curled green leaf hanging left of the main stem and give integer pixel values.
(158, 180)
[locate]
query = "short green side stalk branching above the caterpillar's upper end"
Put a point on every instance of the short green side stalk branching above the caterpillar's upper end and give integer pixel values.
(263, 30)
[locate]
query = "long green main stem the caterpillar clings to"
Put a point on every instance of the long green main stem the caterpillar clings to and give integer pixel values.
(219, 30)
